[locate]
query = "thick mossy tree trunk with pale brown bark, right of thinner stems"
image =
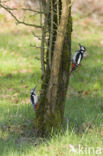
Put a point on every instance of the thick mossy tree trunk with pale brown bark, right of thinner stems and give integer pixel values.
(50, 113)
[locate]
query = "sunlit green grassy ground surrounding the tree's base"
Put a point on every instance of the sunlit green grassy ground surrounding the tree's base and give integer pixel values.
(20, 71)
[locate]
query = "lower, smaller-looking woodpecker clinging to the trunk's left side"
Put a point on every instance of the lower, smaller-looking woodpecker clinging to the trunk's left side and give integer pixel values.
(34, 98)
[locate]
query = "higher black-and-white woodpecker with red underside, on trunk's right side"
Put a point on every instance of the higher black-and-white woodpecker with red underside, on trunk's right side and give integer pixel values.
(77, 58)
